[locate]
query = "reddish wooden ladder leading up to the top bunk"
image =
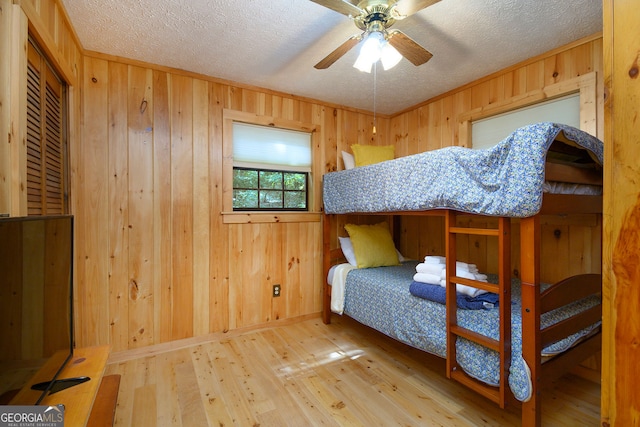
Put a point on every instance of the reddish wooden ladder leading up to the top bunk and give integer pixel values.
(503, 288)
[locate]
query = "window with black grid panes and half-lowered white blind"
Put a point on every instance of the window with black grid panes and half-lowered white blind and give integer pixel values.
(271, 168)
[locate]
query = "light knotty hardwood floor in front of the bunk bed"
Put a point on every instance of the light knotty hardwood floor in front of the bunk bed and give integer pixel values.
(311, 374)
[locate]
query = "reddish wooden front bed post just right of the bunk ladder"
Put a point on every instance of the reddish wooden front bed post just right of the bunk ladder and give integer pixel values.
(531, 342)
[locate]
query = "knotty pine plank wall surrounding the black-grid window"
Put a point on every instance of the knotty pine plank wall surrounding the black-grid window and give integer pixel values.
(158, 258)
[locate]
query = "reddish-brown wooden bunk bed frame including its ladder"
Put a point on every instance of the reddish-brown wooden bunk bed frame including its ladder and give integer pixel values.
(534, 303)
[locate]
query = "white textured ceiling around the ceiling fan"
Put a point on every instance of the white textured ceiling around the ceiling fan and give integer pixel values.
(275, 43)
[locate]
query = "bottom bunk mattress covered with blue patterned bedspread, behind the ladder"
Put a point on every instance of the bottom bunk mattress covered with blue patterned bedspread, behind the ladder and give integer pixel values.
(380, 298)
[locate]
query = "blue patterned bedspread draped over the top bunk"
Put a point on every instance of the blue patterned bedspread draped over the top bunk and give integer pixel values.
(504, 180)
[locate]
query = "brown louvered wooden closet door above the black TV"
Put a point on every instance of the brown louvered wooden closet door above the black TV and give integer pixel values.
(45, 137)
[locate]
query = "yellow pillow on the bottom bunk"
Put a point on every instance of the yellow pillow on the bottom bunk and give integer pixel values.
(372, 245)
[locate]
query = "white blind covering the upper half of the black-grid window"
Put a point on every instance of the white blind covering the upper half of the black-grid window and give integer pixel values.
(263, 147)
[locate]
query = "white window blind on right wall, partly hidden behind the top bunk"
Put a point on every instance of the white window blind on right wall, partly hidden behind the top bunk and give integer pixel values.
(489, 131)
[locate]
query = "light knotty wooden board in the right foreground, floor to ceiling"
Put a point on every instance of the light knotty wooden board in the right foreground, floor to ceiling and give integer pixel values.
(621, 268)
